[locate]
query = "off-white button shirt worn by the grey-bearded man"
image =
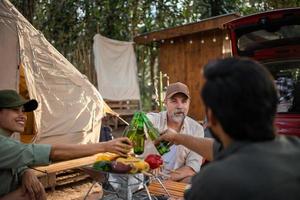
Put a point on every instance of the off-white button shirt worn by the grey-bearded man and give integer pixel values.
(181, 156)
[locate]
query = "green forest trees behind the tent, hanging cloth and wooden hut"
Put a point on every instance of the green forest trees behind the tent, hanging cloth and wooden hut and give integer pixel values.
(70, 26)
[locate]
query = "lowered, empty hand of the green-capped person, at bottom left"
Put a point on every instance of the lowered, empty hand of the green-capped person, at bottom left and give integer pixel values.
(32, 186)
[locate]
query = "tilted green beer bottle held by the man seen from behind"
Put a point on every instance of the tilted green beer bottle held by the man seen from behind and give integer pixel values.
(163, 146)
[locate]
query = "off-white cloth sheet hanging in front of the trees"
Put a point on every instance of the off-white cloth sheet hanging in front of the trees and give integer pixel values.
(116, 68)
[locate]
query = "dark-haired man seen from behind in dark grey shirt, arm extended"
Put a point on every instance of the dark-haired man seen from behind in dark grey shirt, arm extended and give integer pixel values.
(255, 163)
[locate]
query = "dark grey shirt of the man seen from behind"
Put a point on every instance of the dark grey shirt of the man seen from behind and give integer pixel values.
(251, 170)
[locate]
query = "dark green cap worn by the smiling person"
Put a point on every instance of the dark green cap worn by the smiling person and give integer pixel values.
(11, 99)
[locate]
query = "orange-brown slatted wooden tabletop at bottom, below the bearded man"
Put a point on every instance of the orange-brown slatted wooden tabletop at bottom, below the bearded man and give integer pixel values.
(176, 189)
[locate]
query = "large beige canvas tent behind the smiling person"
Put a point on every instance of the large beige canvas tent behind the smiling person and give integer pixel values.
(70, 107)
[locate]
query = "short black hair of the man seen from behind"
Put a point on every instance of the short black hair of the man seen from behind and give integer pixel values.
(242, 96)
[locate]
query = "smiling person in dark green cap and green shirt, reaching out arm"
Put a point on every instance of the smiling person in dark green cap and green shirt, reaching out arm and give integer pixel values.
(18, 181)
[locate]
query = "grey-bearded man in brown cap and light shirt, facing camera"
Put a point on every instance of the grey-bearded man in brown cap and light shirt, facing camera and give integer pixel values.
(180, 162)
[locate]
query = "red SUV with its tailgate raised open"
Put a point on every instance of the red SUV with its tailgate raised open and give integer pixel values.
(273, 38)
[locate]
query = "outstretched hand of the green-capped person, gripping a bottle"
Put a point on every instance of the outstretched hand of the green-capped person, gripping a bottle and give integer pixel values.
(120, 146)
